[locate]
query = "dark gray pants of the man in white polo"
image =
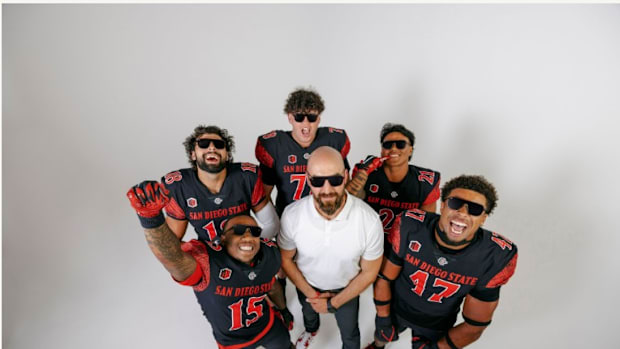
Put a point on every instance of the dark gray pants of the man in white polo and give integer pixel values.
(346, 318)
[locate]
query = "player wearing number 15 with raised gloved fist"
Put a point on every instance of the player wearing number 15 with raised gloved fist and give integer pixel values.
(231, 280)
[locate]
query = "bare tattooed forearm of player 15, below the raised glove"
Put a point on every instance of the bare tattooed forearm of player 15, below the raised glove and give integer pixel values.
(167, 249)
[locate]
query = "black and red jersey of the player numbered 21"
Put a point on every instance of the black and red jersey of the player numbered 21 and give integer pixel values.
(419, 187)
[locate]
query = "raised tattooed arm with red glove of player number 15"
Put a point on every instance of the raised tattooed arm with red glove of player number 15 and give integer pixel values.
(148, 199)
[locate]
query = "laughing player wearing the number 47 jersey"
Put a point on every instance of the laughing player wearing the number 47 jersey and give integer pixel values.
(434, 262)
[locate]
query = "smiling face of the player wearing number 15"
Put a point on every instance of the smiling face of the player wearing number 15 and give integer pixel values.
(240, 247)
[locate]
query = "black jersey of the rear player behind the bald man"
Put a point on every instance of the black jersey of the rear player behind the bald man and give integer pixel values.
(283, 161)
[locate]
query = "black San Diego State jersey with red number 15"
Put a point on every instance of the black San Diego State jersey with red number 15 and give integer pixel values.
(233, 294)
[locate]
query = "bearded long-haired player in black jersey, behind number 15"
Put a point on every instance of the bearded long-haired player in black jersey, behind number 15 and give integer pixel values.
(215, 188)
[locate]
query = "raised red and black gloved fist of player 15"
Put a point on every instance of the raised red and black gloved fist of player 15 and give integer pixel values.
(148, 199)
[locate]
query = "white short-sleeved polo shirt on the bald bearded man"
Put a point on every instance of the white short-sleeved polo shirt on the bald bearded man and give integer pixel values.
(329, 251)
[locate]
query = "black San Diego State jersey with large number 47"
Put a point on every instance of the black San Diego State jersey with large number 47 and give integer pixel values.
(434, 280)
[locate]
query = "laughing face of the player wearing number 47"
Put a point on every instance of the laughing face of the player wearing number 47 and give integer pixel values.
(458, 226)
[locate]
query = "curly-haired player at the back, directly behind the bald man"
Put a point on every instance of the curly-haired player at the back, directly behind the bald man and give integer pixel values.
(283, 155)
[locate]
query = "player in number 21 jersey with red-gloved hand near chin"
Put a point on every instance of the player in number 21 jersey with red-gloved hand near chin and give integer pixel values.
(389, 184)
